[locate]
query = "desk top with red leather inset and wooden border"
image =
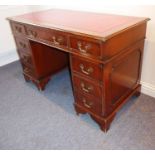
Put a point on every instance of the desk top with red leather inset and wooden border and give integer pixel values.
(97, 25)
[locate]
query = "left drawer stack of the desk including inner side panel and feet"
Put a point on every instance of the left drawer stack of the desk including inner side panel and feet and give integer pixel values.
(38, 60)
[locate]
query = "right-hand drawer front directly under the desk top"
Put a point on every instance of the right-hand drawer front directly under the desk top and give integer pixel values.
(85, 46)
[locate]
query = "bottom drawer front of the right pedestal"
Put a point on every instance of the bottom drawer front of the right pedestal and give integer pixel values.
(89, 103)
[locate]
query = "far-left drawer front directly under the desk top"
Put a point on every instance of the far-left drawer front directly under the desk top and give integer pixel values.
(18, 28)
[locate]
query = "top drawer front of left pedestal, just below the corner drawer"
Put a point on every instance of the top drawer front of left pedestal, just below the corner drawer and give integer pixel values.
(22, 44)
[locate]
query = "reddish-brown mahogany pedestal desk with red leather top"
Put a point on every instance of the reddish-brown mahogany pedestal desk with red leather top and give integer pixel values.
(104, 53)
